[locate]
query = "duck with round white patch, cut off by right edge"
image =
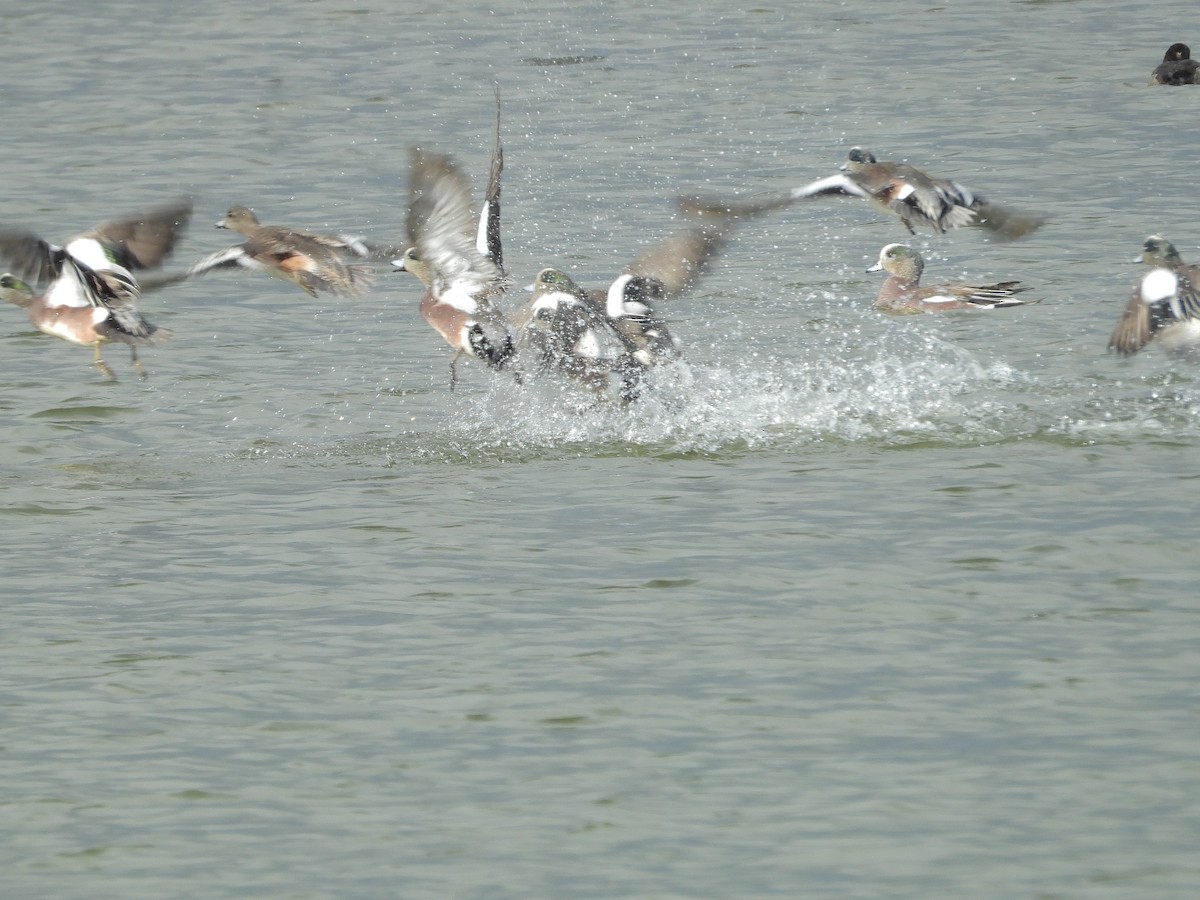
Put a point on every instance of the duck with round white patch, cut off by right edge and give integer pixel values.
(1165, 305)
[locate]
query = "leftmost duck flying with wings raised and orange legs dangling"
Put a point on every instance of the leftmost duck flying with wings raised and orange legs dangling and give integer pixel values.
(87, 290)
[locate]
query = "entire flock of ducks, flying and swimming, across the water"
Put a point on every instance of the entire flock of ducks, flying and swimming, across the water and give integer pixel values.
(609, 340)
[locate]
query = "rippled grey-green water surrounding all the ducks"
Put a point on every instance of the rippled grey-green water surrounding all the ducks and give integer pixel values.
(854, 607)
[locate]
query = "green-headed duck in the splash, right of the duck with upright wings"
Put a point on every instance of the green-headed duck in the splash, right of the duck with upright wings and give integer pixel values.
(565, 331)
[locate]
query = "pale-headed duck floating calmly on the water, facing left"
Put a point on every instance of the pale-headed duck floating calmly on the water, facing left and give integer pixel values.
(903, 293)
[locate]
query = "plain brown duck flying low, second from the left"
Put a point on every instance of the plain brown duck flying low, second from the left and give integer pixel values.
(314, 262)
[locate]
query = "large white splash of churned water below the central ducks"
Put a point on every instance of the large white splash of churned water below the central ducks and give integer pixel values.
(889, 391)
